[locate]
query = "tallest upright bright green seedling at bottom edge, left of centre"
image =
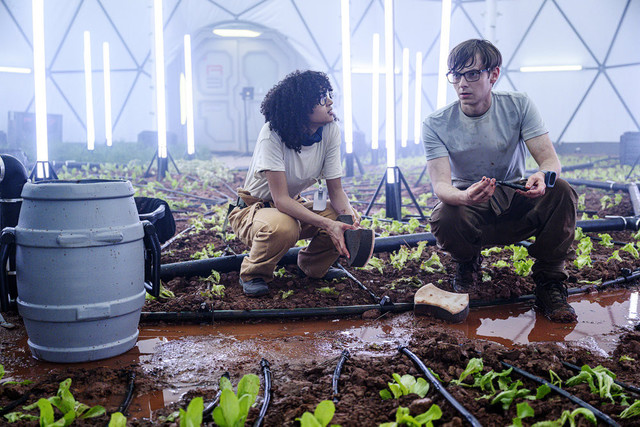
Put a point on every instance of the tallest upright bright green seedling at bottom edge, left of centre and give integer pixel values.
(233, 409)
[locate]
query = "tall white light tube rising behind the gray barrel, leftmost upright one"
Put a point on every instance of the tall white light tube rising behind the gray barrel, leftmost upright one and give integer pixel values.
(39, 79)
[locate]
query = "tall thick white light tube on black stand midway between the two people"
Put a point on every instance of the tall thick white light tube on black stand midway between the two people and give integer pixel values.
(390, 95)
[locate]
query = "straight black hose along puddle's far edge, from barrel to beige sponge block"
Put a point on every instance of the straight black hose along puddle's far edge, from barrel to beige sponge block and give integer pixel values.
(212, 316)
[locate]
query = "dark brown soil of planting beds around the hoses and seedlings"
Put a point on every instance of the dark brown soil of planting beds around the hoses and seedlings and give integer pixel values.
(298, 386)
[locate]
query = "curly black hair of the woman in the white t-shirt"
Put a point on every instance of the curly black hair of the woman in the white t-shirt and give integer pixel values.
(289, 103)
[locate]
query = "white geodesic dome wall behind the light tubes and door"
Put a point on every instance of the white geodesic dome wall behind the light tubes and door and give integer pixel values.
(594, 105)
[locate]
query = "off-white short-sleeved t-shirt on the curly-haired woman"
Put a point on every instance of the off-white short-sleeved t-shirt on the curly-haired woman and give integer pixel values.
(318, 161)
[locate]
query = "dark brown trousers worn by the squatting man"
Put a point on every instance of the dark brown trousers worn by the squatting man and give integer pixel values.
(509, 218)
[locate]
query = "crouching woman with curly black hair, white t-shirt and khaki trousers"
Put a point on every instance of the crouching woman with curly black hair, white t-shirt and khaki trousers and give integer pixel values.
(298, 146)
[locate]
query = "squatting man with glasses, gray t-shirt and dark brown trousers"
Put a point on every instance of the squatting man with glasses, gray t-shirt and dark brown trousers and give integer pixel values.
(476, 149)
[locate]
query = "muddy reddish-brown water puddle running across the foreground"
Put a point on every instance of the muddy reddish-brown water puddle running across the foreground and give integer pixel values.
(193, 356)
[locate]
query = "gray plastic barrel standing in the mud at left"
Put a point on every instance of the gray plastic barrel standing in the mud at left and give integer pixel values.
(80, 269)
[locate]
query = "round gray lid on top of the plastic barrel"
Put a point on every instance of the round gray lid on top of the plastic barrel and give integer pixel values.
(77, 189)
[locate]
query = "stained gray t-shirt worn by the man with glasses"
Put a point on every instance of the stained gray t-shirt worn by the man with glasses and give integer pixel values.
(490, 145)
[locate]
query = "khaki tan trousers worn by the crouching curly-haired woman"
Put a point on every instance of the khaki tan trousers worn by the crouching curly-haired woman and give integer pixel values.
(270, 234)
